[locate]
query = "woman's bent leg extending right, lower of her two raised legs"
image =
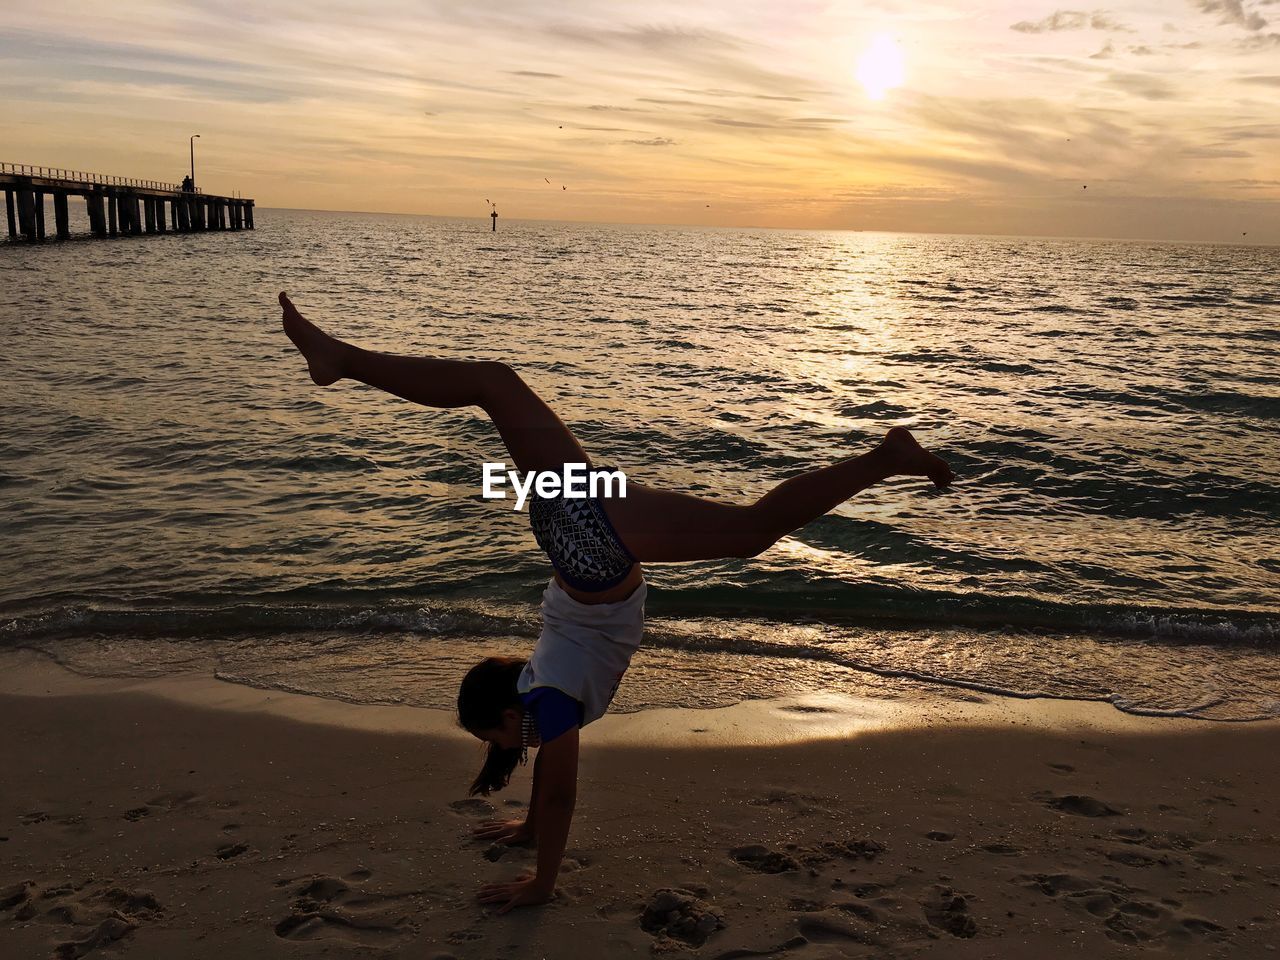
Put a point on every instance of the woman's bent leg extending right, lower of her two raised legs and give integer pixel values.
(664, 528)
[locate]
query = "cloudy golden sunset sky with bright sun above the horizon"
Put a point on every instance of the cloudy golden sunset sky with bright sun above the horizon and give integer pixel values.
(1139, 120)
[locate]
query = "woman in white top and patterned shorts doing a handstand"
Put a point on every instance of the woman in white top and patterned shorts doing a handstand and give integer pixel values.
(593, 607)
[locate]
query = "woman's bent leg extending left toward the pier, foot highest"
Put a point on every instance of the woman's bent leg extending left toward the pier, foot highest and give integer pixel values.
(536, 437)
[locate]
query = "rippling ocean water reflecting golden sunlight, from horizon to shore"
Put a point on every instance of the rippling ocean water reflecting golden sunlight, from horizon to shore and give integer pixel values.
(177, 496)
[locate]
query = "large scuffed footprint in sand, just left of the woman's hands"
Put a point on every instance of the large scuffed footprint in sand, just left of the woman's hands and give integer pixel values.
(328, 908)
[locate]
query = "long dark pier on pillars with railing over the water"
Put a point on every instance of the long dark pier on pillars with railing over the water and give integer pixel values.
(117, 207)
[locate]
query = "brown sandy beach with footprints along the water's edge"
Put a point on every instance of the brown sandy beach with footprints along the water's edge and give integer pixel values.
(194, 819)
